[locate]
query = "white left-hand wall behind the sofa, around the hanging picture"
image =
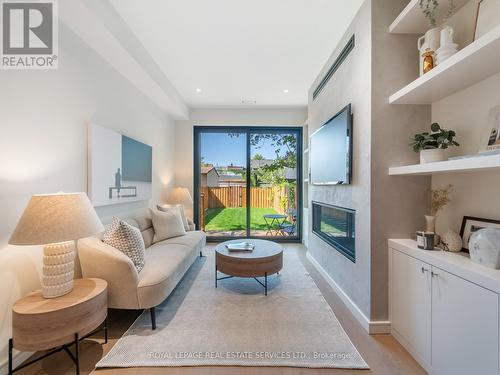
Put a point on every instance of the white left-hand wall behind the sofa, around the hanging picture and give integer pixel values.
(43, 148)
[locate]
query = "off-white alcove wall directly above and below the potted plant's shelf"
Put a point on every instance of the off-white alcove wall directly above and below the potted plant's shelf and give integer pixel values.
(474, 194)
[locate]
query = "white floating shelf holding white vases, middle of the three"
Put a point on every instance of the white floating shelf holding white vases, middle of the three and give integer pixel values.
(478, 61)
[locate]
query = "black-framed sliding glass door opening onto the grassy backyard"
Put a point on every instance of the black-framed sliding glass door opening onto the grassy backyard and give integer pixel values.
(247, 182)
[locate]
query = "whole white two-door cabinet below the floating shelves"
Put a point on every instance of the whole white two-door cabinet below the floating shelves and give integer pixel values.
(449, 324)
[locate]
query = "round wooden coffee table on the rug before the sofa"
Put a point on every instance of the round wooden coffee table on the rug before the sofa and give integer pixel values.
(266, 259)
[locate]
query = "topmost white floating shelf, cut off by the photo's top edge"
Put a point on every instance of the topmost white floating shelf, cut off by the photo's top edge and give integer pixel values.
(412, 21)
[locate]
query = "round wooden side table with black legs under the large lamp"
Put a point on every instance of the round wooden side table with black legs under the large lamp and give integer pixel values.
(57, 323)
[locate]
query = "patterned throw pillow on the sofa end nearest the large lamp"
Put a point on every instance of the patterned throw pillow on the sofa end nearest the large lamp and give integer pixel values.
(127, 239)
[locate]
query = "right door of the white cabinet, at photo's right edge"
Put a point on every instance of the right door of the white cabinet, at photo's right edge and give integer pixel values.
(464, 326)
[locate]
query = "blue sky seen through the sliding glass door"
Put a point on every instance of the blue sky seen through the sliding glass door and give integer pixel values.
(220, 149)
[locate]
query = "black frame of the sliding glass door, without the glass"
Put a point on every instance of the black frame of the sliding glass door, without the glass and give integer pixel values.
(197, 130)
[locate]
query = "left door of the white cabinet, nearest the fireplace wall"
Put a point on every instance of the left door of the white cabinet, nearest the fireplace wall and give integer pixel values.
(411, 305)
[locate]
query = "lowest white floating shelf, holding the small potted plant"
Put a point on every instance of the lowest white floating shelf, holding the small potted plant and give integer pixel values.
(469, 165)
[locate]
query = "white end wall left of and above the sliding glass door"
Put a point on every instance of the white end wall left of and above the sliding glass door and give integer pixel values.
(221, 117)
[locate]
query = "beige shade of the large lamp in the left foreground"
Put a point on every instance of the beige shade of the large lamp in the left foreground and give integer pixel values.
(51, 218)
